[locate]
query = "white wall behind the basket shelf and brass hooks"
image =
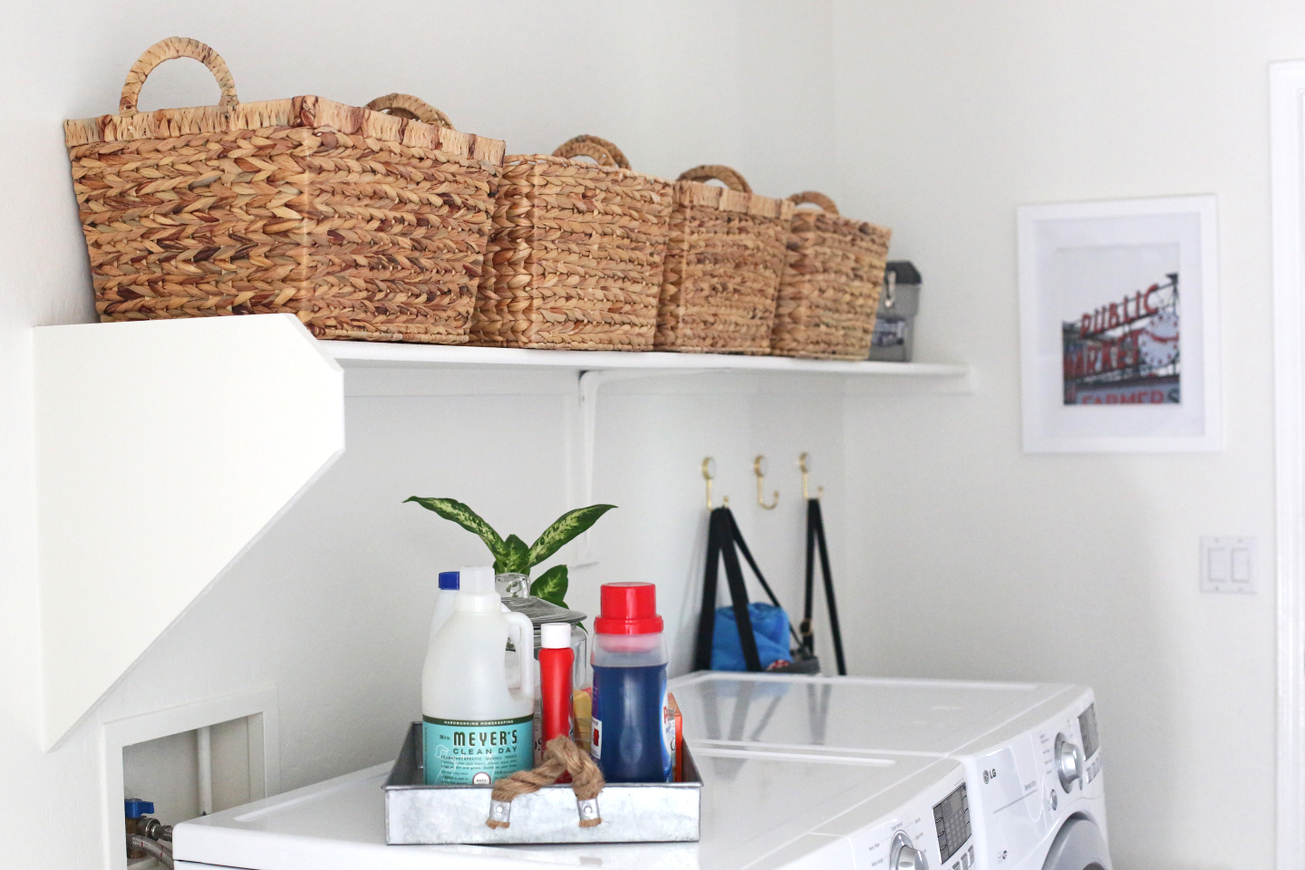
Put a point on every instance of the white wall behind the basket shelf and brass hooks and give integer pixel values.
(331, 606)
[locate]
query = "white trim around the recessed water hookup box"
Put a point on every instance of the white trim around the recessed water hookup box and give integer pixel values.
(260, 706)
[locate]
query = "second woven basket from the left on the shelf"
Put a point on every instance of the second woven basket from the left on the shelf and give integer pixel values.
(576, 256)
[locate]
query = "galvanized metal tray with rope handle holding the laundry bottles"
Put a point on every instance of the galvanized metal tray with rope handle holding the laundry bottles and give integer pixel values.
(421, 815)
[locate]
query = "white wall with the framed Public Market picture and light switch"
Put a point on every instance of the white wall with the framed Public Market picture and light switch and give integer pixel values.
(1073, 568)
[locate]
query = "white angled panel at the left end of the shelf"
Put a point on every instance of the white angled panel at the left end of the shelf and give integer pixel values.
(165, 448)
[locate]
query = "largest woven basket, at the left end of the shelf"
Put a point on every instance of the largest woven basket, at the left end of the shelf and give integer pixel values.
(363, 225)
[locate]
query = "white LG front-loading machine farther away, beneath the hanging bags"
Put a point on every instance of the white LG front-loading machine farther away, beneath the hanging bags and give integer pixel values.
(1032, 753)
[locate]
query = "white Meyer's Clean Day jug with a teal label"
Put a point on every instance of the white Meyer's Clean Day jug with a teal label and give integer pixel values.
(476, 728)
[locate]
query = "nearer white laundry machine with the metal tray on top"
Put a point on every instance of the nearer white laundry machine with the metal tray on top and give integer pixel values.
(761, 808)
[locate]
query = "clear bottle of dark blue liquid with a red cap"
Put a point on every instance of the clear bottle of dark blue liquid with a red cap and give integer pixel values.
(630, 687)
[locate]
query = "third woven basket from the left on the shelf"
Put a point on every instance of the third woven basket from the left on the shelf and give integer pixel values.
(724, 263)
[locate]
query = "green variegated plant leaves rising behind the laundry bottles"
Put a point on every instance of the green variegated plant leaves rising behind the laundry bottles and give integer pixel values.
(512, 555)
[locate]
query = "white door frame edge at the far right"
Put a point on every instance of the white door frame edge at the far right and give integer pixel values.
(1287, 149)
